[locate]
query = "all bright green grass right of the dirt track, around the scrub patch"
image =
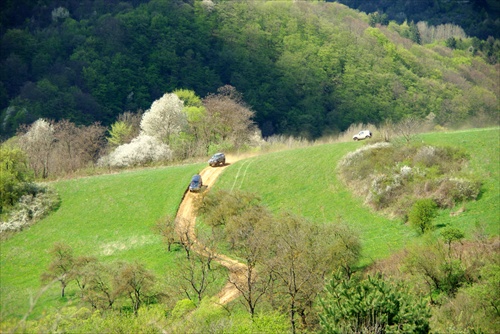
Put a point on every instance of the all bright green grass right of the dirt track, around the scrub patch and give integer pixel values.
(304, 181)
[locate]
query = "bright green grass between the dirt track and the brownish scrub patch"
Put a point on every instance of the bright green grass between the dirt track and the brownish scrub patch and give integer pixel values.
(304, 181)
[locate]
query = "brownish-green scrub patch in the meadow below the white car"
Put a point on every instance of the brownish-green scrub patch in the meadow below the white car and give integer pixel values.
(393, 178)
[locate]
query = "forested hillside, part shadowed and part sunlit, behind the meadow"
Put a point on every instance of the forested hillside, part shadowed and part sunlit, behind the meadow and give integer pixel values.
(305, 68)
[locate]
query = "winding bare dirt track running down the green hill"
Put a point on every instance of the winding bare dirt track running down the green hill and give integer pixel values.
(185, 223)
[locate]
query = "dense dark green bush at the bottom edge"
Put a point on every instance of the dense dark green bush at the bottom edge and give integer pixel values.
(354, 305)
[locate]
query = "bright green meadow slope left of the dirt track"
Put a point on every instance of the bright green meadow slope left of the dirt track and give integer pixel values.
(106, 216)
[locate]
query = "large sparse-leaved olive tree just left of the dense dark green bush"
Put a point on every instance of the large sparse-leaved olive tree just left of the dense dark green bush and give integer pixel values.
(303, 254)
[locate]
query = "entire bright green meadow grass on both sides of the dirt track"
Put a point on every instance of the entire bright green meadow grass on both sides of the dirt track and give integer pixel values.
(111, 216)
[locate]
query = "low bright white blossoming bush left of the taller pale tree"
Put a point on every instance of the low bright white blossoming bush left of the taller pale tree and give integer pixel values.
(141, 150)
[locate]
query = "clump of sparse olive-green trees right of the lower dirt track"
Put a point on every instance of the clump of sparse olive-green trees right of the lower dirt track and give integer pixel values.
(302, 252)
